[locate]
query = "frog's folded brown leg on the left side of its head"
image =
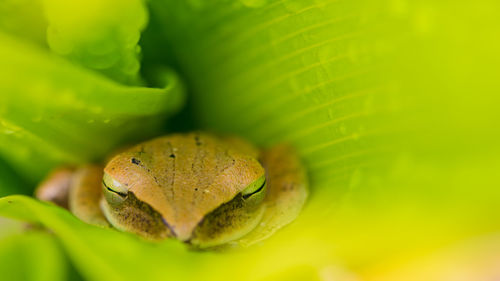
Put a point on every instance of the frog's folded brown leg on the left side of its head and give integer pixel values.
(78, 190)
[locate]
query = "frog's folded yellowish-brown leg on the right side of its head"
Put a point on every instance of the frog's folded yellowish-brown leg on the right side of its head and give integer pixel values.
(287, 192)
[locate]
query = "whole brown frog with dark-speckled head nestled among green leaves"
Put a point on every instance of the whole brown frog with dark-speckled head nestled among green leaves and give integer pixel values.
(203, 189)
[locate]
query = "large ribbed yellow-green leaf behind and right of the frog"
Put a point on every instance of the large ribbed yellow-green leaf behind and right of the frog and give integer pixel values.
(392, 104)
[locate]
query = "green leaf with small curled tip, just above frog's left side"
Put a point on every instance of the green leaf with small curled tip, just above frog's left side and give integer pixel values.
(67, 115)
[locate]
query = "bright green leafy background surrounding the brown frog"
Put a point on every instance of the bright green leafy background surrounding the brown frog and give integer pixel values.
(393, 106)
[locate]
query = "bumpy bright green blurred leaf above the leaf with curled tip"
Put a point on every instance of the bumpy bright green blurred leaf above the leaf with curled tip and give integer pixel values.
(101, 35)
